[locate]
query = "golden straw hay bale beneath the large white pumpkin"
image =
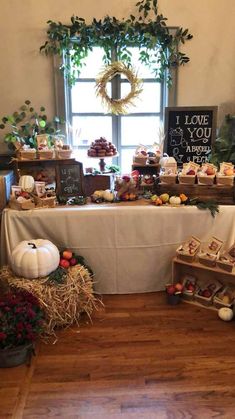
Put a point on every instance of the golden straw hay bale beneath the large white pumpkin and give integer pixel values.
(62, 303)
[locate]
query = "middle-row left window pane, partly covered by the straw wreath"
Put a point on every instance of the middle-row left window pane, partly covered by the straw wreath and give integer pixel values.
(84, 98)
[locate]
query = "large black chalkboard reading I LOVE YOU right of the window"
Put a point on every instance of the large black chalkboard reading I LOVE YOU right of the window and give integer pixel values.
(189, 133)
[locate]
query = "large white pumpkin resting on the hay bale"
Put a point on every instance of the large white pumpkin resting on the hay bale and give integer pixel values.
(35, 258)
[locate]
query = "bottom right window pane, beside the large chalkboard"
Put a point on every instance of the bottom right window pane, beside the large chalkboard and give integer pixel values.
(140, 130)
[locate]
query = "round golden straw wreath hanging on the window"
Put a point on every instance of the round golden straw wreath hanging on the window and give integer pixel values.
(118, 106)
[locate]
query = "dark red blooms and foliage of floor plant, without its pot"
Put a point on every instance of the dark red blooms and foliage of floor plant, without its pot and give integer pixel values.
(21, 319)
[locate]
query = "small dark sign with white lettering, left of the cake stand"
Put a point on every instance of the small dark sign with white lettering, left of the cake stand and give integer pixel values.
(70, 179)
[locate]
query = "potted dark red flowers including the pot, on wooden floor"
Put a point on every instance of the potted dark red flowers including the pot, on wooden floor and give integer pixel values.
(21, 322)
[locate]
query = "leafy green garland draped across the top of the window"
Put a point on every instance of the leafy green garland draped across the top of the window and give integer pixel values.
(159, 48)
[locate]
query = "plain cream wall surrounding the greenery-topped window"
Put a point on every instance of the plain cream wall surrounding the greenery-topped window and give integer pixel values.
(209, 78)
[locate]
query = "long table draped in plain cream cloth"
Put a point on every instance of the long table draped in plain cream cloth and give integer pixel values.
(129, 247)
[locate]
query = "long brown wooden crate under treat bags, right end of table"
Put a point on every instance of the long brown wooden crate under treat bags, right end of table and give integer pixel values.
(219, 193)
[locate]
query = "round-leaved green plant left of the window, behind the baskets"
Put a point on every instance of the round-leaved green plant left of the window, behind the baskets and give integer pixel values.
(26, 123)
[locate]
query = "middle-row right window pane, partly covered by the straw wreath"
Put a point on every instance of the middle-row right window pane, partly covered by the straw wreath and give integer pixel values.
(147, 101)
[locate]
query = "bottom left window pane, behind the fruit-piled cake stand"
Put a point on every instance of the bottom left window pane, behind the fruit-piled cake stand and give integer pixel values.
(88, 128)
